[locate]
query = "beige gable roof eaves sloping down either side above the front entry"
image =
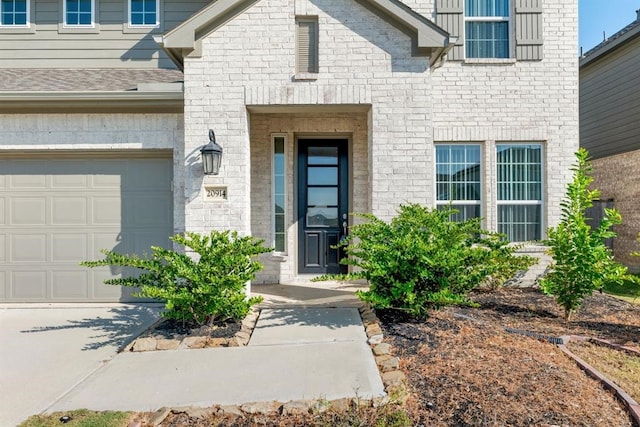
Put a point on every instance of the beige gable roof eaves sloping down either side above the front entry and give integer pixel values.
(428, 39)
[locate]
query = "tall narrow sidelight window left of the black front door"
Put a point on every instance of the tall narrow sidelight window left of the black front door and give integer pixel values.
(279, 194)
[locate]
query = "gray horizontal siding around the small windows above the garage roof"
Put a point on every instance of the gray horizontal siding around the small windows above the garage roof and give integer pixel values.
(112, 47)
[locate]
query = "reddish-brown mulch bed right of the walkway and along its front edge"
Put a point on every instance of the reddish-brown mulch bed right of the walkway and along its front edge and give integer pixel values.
(464, 369)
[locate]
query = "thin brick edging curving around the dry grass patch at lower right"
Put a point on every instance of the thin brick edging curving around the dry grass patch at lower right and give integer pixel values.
(632, 406)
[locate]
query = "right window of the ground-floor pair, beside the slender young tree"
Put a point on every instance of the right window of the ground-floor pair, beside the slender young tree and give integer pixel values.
(519, 175)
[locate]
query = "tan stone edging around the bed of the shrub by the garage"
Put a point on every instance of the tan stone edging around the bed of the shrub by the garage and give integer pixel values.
(148, 342)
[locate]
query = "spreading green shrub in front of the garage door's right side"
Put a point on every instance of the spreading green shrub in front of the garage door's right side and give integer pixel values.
(208, 287)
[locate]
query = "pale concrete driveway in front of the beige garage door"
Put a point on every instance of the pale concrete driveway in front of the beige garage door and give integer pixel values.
(47, 349)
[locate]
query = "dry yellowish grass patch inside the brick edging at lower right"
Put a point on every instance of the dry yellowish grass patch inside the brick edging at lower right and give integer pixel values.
(619, 366)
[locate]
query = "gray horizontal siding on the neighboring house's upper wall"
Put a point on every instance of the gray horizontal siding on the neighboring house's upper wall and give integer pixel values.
(610, 102)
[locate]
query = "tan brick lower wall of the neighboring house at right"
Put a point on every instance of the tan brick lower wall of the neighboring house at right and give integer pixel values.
(618, 178)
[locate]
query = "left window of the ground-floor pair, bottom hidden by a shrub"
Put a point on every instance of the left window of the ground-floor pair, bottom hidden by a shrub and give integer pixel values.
(458, 179)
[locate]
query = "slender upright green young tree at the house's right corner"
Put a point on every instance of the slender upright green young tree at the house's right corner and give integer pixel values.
(582, 262)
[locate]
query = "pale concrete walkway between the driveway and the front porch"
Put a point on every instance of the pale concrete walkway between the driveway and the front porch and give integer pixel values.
(294, 354)
